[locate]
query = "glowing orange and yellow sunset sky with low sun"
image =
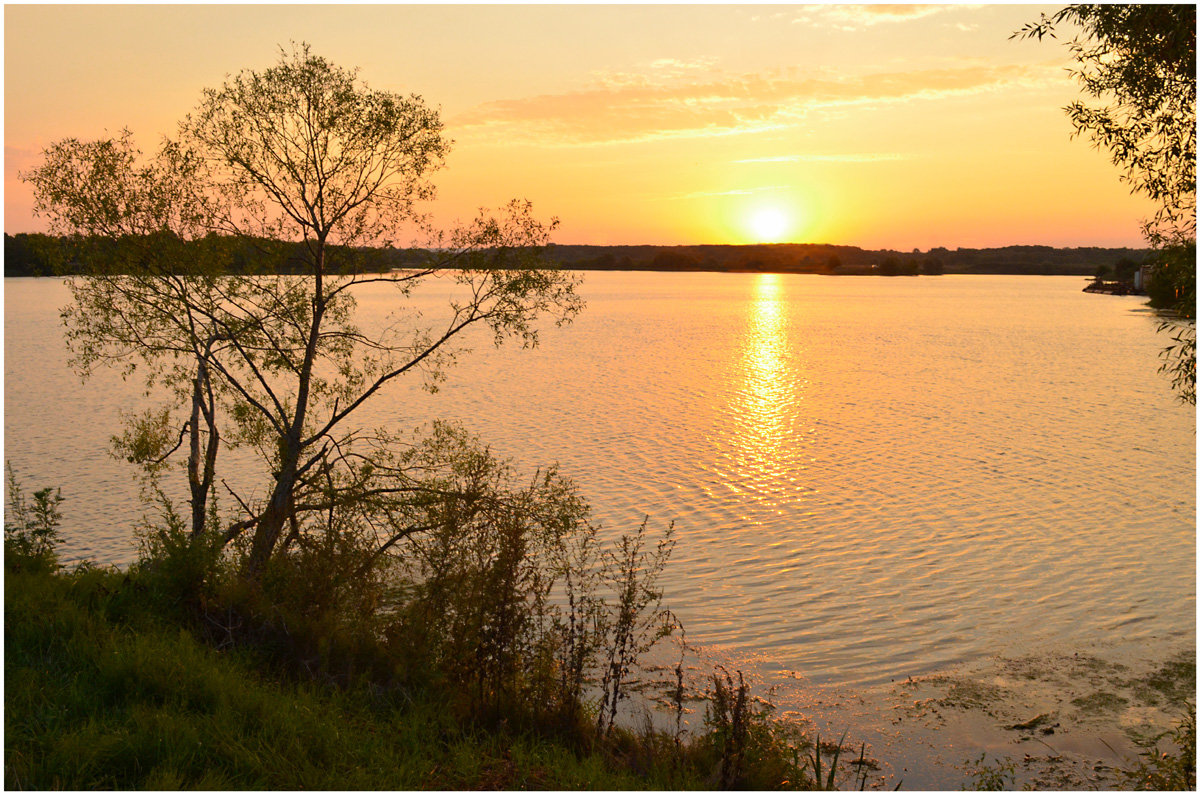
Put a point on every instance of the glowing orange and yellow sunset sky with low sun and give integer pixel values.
(874, 125)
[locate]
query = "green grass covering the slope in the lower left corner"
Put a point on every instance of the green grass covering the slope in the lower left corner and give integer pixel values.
(103, 695)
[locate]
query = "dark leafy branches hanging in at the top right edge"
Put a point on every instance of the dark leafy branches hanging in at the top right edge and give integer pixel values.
(1139, 64)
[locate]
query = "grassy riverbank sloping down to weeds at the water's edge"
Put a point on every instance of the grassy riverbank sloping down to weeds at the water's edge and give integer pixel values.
(109, 688)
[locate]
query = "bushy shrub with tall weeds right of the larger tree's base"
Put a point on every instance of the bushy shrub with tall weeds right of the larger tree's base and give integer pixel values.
(512, 602)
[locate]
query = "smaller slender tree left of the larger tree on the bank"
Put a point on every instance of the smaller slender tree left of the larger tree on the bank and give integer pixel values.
(148, 301)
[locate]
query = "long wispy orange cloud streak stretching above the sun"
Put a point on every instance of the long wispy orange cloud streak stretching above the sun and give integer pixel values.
(697, 103)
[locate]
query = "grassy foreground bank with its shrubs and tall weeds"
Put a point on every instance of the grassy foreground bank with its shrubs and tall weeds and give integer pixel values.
(491, 651)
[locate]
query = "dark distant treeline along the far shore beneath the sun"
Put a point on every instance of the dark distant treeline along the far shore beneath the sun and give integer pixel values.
(40, 255)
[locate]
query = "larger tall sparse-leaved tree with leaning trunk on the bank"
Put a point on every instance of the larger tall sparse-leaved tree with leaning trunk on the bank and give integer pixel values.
(303, 153)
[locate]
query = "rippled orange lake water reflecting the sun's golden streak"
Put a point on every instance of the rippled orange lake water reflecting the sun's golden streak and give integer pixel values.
(871, 479)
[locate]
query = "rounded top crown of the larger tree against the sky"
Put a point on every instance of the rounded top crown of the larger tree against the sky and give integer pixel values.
(305, 150)
